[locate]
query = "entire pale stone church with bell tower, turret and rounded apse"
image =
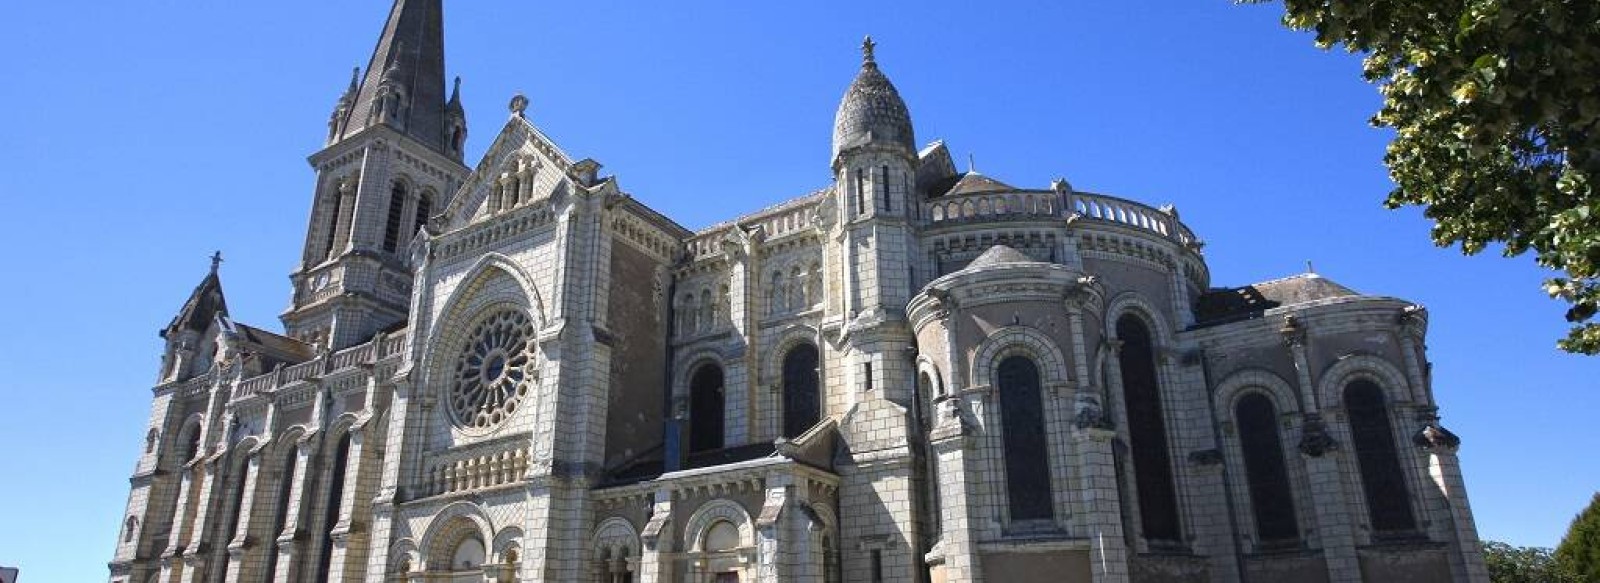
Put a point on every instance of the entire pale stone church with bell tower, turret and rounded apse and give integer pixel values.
(518, 372)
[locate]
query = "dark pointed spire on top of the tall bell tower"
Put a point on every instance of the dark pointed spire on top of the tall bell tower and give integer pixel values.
(410, 54)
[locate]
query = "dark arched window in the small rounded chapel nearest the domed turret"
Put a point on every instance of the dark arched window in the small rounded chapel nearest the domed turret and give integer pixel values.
(1026, 456)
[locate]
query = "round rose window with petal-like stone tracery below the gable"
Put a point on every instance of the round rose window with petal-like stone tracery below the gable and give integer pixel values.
(492, 376)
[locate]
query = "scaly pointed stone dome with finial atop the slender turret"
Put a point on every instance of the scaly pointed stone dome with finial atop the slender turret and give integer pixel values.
(871, 111)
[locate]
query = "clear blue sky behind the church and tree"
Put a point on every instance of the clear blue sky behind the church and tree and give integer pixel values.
(145, 135)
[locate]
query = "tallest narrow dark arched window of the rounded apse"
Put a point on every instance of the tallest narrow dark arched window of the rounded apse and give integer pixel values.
(1153, 468)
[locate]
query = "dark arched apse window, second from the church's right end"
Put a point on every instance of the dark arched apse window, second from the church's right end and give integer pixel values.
(1271, 497)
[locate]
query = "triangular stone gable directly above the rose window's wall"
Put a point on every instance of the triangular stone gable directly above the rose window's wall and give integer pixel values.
(521, 156)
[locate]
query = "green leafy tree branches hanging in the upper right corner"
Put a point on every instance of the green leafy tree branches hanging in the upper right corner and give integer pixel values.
(1497, 116)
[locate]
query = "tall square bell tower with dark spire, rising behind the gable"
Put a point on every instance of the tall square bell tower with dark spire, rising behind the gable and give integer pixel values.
(393, 158)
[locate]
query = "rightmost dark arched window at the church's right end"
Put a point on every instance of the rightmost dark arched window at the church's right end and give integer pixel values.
(1383, 480)
